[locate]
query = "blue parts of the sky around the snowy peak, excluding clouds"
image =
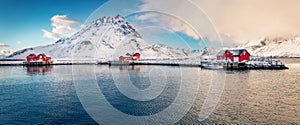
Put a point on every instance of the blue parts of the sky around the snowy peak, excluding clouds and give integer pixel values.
(24, 22)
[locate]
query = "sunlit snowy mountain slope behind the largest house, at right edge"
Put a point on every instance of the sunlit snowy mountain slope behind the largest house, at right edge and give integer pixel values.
(274, 47)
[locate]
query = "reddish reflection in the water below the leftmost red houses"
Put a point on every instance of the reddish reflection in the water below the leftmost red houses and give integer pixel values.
(38, 70)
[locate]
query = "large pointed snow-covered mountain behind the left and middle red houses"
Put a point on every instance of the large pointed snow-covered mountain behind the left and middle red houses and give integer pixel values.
(106, 38)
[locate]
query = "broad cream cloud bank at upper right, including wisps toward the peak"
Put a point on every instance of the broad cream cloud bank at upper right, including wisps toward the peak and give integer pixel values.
(236, 20)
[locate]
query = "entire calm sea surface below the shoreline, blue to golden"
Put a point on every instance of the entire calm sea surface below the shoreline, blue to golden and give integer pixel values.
(89, 94)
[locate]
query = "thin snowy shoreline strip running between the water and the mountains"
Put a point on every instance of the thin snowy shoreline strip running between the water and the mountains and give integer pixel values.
(253, 64)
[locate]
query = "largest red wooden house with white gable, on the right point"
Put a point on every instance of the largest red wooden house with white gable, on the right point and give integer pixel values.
(238, 55)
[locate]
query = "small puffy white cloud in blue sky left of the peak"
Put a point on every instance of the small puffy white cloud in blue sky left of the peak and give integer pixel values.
(62, 27)
